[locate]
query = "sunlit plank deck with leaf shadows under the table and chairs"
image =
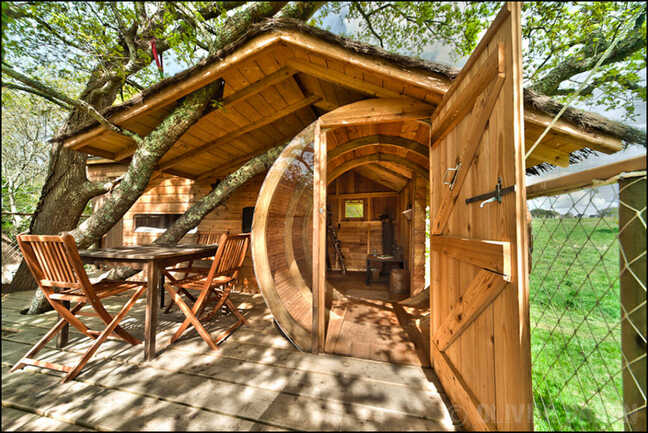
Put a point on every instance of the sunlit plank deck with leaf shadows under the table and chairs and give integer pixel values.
(257, 381)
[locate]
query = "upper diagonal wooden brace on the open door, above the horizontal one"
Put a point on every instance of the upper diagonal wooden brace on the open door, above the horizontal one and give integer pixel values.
(482, 114)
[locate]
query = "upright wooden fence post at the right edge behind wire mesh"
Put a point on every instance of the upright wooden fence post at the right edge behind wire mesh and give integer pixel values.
(632, 238)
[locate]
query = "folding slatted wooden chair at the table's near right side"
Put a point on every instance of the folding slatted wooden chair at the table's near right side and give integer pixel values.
(223, 272)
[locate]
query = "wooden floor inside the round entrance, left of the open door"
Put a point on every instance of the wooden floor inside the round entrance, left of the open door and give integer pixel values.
(371, 324)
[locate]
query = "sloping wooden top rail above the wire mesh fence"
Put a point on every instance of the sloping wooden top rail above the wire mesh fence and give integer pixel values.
(574, 181)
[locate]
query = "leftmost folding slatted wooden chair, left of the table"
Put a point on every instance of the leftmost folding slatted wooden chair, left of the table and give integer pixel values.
(57, 268)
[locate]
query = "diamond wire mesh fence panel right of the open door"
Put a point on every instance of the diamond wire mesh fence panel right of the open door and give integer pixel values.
(588, 307)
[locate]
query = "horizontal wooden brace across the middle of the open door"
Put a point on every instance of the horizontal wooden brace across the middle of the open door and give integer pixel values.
(494, 256)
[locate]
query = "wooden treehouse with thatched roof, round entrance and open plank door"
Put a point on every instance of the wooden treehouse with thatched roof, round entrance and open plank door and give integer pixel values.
(376, 142)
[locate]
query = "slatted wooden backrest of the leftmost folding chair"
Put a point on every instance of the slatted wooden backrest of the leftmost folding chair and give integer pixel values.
(54, 261)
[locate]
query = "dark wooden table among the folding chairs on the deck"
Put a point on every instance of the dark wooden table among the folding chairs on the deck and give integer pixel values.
(153, 259)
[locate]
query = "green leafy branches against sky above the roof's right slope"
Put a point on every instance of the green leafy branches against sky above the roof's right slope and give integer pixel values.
(562, 41)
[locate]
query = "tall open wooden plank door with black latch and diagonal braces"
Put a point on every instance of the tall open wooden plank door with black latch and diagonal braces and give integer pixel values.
(479, 323)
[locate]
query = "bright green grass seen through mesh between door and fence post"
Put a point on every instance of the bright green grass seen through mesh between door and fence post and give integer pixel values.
(575, 334)
